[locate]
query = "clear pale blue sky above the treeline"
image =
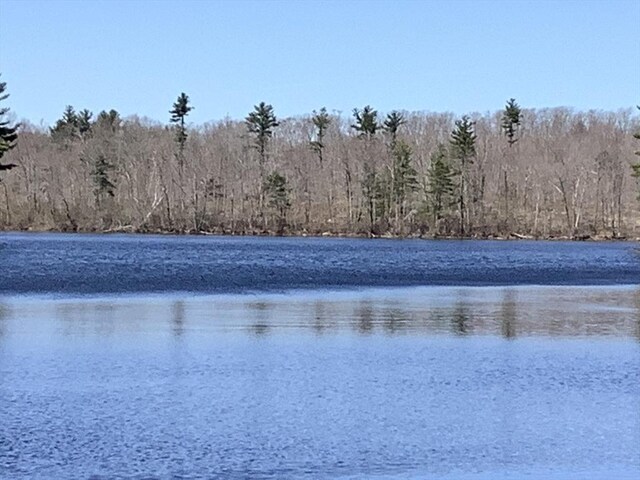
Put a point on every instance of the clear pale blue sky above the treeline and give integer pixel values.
(462, 56)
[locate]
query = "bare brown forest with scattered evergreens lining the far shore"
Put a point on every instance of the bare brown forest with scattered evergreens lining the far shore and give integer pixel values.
(513, 173)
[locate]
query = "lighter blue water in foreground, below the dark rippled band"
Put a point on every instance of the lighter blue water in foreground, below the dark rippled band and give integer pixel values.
(407, 383)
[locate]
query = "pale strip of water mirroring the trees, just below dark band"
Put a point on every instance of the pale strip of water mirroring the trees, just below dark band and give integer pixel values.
(508, 312)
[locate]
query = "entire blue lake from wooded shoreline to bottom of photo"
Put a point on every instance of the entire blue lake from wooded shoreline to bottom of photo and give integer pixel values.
(143, 357)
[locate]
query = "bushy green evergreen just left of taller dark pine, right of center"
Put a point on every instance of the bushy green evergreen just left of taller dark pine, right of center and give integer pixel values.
(440, 185)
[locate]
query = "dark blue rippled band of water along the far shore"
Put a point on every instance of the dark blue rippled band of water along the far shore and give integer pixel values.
(89, 264)
